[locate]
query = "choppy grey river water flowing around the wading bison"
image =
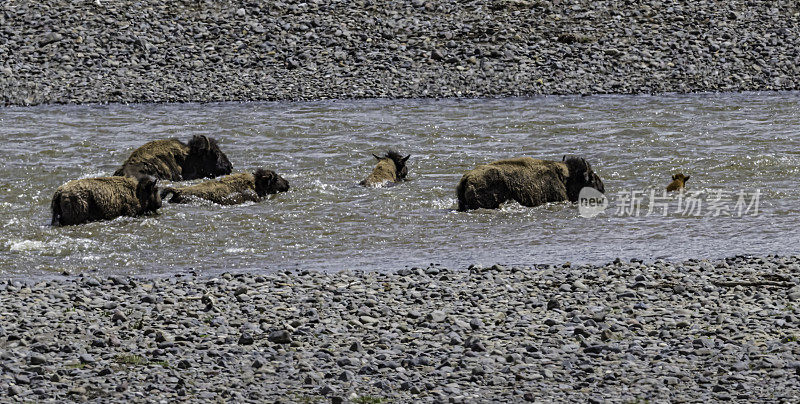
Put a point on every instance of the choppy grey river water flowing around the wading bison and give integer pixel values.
(734, 142)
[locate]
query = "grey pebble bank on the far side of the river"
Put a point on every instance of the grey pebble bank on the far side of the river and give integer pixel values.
(82, 51)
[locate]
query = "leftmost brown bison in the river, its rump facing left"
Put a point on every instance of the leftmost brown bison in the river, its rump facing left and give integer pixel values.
(104, 198)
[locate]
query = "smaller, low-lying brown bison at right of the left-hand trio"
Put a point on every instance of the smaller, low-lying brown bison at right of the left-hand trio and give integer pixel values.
(231, 189)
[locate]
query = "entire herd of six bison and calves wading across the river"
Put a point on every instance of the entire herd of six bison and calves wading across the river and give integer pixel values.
(133, 190)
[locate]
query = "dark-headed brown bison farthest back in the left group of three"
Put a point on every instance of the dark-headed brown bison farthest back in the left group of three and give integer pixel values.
(171, 159)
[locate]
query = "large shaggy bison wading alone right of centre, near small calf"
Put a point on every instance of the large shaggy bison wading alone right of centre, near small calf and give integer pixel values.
(531, 182)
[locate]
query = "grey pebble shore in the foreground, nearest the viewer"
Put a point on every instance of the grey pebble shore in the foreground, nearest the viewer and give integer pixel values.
(622, 332)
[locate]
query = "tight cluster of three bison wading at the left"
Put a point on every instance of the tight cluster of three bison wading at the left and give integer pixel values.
(132, 191)
